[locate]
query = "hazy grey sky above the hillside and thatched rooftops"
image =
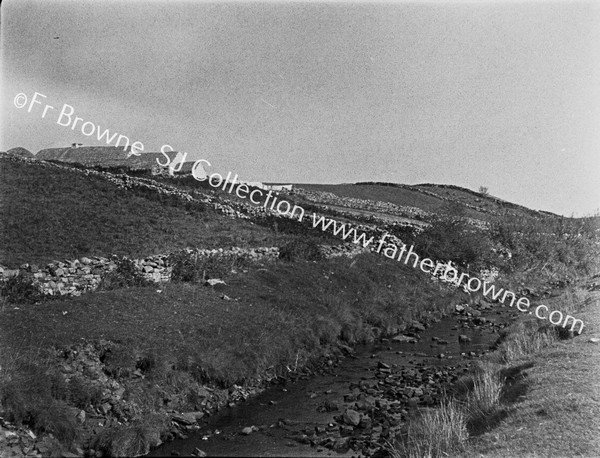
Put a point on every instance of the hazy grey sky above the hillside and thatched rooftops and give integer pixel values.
(472, 93)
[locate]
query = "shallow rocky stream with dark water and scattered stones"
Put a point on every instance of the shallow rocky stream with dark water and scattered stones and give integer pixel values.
(382, 385)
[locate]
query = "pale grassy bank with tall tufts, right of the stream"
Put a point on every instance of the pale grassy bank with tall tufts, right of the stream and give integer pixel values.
(536, 395)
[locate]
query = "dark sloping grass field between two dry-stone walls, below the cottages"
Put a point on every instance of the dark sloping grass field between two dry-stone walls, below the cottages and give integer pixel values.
(50, 214)
